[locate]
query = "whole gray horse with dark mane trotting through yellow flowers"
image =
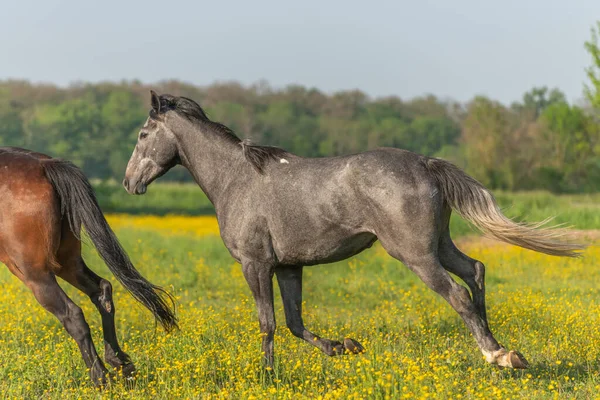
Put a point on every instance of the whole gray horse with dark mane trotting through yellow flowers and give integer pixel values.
(278, 212)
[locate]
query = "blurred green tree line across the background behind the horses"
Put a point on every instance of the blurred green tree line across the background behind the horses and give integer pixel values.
(538, 142)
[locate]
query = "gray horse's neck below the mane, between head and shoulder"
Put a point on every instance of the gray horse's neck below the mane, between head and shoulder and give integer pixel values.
(213, 160)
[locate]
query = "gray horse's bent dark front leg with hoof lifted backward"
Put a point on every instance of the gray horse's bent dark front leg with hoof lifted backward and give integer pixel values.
(290, 285)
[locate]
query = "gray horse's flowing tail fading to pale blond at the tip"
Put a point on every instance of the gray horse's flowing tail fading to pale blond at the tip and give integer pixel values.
(477, 205)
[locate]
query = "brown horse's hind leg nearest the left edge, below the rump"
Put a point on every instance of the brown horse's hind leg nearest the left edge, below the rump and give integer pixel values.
(50, 295)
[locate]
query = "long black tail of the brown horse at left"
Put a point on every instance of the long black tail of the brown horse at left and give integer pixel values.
(79, 205)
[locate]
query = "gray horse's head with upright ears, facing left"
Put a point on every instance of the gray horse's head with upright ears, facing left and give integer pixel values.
(156, 149)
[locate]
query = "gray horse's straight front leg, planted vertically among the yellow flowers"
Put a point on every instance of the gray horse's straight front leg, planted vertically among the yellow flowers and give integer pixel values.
(259, 276)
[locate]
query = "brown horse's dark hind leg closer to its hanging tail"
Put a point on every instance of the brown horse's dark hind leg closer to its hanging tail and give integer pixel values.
(99, 290)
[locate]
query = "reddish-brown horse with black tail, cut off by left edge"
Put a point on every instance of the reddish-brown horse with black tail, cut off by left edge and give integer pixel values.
(43, 206)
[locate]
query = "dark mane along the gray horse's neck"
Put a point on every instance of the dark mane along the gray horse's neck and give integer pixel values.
(258, 156)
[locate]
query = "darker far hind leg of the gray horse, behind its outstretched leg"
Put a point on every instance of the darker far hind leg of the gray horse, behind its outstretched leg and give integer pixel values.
(471, 271)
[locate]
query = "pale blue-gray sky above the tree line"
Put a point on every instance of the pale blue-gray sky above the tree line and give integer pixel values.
(452, 48)
